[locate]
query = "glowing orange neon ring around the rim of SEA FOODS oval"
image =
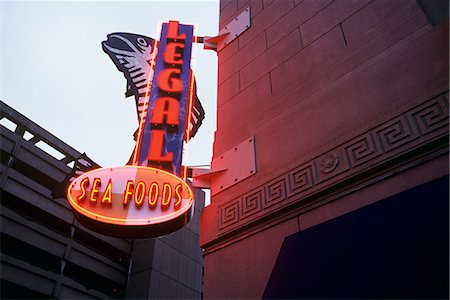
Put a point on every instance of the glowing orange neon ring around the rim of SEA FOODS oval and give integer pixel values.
(121, 221)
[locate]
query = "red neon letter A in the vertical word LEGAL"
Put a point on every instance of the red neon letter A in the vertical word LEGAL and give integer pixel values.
(167, 108)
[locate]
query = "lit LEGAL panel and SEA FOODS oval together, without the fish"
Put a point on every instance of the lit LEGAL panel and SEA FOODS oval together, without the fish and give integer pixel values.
(148, 198)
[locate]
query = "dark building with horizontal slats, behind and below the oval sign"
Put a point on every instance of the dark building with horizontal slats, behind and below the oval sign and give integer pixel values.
(46, 253)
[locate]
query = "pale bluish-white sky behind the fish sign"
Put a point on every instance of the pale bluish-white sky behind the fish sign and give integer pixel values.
(54, 71)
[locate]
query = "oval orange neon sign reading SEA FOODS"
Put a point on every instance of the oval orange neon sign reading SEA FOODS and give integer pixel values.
(131, 201)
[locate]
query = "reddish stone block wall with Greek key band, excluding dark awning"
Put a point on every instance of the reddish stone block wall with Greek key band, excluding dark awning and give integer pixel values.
(317, 82)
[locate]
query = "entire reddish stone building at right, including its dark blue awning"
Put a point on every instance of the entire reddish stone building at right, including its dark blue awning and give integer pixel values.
(347, 102)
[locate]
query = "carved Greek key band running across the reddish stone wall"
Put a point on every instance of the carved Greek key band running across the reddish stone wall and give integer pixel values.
(385, 143)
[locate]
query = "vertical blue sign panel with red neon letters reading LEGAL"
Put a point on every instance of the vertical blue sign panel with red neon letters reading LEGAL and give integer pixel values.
(160, 142)
